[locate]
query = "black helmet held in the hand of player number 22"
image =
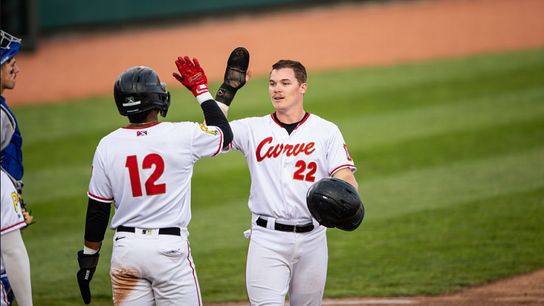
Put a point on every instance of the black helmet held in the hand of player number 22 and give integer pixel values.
(335, 203)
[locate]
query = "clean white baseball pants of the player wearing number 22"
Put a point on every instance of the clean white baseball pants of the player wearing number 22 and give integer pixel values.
(280, 263)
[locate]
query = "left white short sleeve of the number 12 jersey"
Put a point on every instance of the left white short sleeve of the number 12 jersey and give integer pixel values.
(99, 186)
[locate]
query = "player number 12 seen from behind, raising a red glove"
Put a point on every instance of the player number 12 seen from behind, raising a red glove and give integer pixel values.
(145, 169)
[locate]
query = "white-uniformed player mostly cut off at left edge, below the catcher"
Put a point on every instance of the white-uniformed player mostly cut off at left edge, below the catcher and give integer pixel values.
(15, 263)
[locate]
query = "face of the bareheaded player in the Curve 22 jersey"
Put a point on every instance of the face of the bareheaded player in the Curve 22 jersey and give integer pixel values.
(285, 91)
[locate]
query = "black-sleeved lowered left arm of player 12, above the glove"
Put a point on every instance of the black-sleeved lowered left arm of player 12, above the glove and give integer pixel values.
(96, 223)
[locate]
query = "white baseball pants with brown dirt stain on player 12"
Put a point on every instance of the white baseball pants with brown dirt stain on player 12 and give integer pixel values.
(151, 269)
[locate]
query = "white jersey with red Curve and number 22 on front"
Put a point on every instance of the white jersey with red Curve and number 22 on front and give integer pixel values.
(283, 166)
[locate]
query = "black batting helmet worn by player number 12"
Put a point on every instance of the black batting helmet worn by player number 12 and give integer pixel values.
(139, 89)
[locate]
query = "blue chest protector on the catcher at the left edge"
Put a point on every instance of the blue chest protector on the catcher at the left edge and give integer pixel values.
(12, 155)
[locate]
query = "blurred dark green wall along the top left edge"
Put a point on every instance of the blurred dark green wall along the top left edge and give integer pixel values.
(30, 19)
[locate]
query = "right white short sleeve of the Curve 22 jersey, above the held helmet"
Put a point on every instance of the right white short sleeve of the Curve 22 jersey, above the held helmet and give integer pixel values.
(338, 156)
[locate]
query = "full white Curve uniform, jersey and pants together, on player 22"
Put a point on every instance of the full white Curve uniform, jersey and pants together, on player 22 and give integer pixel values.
(283, 166)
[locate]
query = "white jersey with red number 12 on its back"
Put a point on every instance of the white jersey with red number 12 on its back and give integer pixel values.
(147, 172)
